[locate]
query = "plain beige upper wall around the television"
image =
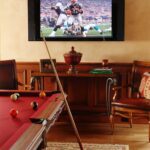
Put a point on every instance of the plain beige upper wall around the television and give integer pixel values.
(14, 36)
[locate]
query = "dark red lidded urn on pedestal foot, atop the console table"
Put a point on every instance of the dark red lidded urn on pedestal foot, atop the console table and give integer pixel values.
(72, 58)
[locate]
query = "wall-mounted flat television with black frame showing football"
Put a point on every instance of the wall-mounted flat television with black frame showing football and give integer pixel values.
(76, 20)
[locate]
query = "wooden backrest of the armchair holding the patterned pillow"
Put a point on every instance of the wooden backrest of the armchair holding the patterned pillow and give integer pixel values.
(138, 68)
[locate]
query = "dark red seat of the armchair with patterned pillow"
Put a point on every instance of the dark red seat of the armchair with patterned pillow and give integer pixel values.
(134, 103)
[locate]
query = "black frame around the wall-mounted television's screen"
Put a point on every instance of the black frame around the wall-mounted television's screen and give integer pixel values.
(118, 11)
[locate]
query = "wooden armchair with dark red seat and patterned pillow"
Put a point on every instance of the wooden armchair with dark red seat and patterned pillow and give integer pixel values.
(137, 103)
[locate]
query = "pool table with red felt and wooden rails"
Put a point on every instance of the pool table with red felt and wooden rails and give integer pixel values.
(28, 129)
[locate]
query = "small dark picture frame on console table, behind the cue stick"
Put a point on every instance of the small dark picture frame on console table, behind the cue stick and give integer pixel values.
(46, 66)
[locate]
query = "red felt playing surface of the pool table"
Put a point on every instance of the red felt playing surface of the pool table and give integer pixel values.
(10, 126)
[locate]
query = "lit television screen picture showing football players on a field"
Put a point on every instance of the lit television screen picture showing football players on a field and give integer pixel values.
(76, 18)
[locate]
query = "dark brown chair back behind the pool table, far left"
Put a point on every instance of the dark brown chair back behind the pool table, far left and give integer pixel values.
(8, 74)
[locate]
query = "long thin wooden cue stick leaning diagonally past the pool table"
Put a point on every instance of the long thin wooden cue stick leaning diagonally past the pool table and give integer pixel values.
(64, 96)
